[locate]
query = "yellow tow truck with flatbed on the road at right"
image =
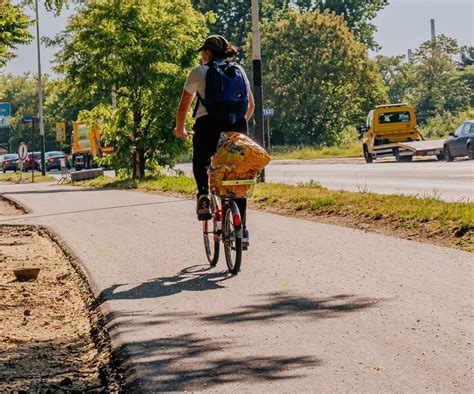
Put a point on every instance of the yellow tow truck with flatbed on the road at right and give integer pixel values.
(392, 130)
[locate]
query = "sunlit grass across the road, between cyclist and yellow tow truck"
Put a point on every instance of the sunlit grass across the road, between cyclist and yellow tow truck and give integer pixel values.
(308, 152)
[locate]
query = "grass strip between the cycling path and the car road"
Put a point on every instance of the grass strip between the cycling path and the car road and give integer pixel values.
(425, 219)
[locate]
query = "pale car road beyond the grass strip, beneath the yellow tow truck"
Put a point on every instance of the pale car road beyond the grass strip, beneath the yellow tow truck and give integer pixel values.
(448, 181)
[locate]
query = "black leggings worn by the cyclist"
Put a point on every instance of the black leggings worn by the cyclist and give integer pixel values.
(206, 137)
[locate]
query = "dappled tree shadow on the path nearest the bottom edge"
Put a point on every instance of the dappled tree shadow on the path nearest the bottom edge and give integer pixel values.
(190, 362)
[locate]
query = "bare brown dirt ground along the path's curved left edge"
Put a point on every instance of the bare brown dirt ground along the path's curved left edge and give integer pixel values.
(50, 337)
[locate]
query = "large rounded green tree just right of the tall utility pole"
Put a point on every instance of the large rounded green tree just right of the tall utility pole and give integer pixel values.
(321, 82)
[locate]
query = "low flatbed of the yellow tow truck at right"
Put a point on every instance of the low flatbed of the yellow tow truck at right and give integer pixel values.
(405, 151)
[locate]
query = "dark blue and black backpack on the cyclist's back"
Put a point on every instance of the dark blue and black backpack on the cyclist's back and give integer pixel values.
(227, 98)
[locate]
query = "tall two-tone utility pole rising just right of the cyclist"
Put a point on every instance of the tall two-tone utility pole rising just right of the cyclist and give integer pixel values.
(257, 79)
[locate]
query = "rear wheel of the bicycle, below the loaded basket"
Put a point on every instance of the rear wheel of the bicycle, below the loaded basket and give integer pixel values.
(232, 237)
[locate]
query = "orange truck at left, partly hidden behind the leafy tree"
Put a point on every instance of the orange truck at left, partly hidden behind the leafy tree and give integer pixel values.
(87, 146)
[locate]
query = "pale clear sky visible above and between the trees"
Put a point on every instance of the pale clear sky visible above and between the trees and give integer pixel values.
(402, 25)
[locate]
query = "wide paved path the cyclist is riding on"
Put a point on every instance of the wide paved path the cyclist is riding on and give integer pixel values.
(315, 308)
